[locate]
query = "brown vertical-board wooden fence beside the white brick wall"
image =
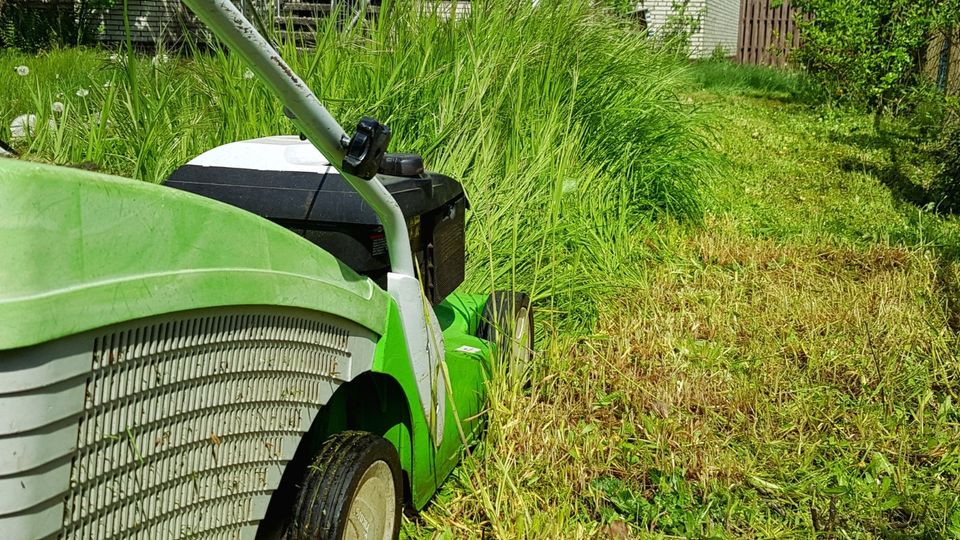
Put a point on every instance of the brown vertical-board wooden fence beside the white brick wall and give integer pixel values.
(767, 35)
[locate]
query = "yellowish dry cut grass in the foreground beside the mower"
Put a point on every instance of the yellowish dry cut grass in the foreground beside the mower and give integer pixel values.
(749, 388)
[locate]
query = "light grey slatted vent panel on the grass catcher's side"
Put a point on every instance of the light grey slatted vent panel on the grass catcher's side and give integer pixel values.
(183, 425)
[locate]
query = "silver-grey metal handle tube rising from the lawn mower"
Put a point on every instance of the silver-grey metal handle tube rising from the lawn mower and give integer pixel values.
(313, 119)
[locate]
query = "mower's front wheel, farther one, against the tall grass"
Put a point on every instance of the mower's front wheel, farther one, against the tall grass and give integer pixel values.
(507, 320)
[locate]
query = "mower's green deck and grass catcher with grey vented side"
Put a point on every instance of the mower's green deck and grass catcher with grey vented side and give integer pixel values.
(166, 359)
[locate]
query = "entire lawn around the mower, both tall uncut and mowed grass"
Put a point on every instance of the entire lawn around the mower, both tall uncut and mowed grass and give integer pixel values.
(748, 309)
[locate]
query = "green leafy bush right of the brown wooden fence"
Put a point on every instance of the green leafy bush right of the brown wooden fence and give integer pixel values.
(871, 51)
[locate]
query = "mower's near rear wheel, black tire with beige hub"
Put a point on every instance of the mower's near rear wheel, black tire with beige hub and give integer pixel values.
(331, 502)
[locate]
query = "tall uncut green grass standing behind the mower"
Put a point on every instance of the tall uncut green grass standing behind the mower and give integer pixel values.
(564, 124)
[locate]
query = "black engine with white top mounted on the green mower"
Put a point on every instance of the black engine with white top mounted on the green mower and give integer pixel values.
(288, 181)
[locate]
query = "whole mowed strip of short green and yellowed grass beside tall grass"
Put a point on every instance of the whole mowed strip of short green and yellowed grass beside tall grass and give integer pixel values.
(788, 369)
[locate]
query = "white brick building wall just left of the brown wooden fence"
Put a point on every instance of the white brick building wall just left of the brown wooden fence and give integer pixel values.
(719, 23)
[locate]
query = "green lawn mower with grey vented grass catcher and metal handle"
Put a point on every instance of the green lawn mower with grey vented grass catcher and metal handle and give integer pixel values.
(269, 346)
